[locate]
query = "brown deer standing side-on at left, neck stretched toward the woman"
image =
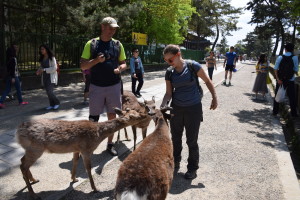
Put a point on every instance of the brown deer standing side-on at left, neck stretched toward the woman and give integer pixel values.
(60, 136)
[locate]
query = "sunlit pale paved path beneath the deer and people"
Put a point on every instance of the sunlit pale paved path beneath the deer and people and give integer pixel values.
(243, 154)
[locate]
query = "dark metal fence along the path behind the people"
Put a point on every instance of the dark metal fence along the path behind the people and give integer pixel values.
(68, 50)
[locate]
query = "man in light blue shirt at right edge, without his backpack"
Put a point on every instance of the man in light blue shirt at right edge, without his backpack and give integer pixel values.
(289, 84)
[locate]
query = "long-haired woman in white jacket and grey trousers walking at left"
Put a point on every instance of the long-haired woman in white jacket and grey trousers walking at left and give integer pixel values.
(48, 70)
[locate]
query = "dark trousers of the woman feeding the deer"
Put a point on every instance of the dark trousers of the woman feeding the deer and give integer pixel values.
(188, 118)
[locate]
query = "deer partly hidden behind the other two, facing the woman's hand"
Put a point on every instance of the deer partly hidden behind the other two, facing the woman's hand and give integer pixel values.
(129, 100)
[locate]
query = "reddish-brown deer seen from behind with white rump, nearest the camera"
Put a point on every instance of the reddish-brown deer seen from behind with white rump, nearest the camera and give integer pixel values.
(147, 173)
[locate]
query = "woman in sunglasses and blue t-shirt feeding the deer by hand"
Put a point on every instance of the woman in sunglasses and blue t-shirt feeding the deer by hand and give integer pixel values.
(183, 88)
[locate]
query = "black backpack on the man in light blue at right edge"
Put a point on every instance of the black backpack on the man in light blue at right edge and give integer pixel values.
(286, 68)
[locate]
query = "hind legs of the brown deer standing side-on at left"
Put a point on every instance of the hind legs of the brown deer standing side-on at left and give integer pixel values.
(27, 161)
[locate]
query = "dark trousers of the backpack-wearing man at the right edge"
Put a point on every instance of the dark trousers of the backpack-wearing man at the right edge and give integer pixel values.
(290, 91)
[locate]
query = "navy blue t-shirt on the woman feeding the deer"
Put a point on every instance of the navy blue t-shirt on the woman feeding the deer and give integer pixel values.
(186, 92)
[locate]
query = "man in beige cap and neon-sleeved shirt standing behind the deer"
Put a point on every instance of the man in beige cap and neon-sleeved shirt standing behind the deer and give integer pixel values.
(105, 57)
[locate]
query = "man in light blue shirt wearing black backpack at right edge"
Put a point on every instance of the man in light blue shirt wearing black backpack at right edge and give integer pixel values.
(286, 66)
